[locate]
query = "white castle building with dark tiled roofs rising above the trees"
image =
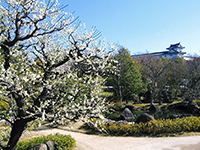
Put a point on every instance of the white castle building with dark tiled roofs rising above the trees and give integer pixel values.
(175, 50)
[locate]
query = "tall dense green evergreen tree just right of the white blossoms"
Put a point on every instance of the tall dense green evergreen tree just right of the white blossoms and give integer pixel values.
(127, 83)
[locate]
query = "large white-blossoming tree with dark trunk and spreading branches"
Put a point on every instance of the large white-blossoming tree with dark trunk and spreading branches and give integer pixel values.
(36, 41)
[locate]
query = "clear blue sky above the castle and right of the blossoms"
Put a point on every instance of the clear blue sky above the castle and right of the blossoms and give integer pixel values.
(142, 25)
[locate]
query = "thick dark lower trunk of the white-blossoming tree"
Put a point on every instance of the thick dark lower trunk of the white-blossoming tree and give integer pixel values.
(17, 130)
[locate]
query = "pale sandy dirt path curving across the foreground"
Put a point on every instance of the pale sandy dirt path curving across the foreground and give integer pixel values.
(96, 142)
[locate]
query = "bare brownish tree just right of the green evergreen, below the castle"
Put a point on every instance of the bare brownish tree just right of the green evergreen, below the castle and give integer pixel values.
(156, 71)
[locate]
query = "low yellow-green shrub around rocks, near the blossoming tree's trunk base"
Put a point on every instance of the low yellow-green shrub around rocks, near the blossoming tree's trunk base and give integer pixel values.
(62, 142)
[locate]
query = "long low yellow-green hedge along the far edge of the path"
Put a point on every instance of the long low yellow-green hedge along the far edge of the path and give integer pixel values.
(156, 127)
